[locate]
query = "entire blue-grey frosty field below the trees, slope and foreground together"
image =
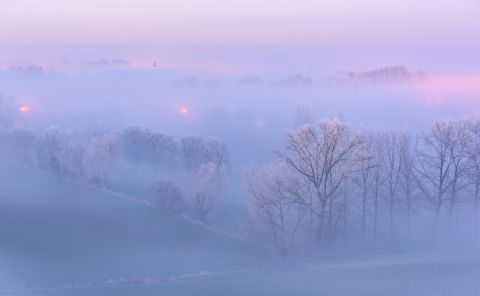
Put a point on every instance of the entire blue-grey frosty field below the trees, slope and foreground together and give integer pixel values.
(76, 240)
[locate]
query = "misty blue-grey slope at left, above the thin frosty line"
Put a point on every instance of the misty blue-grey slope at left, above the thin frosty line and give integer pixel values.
(52, 231)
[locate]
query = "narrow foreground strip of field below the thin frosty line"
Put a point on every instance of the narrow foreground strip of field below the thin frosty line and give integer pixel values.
(423, 278)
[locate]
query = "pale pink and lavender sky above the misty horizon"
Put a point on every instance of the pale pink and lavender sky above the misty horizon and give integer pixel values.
(248, 35)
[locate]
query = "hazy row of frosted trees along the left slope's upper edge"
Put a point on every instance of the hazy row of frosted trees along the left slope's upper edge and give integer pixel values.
(202, 162)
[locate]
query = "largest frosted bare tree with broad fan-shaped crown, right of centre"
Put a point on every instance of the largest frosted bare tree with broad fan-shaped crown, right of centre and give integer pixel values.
(323, 157)
